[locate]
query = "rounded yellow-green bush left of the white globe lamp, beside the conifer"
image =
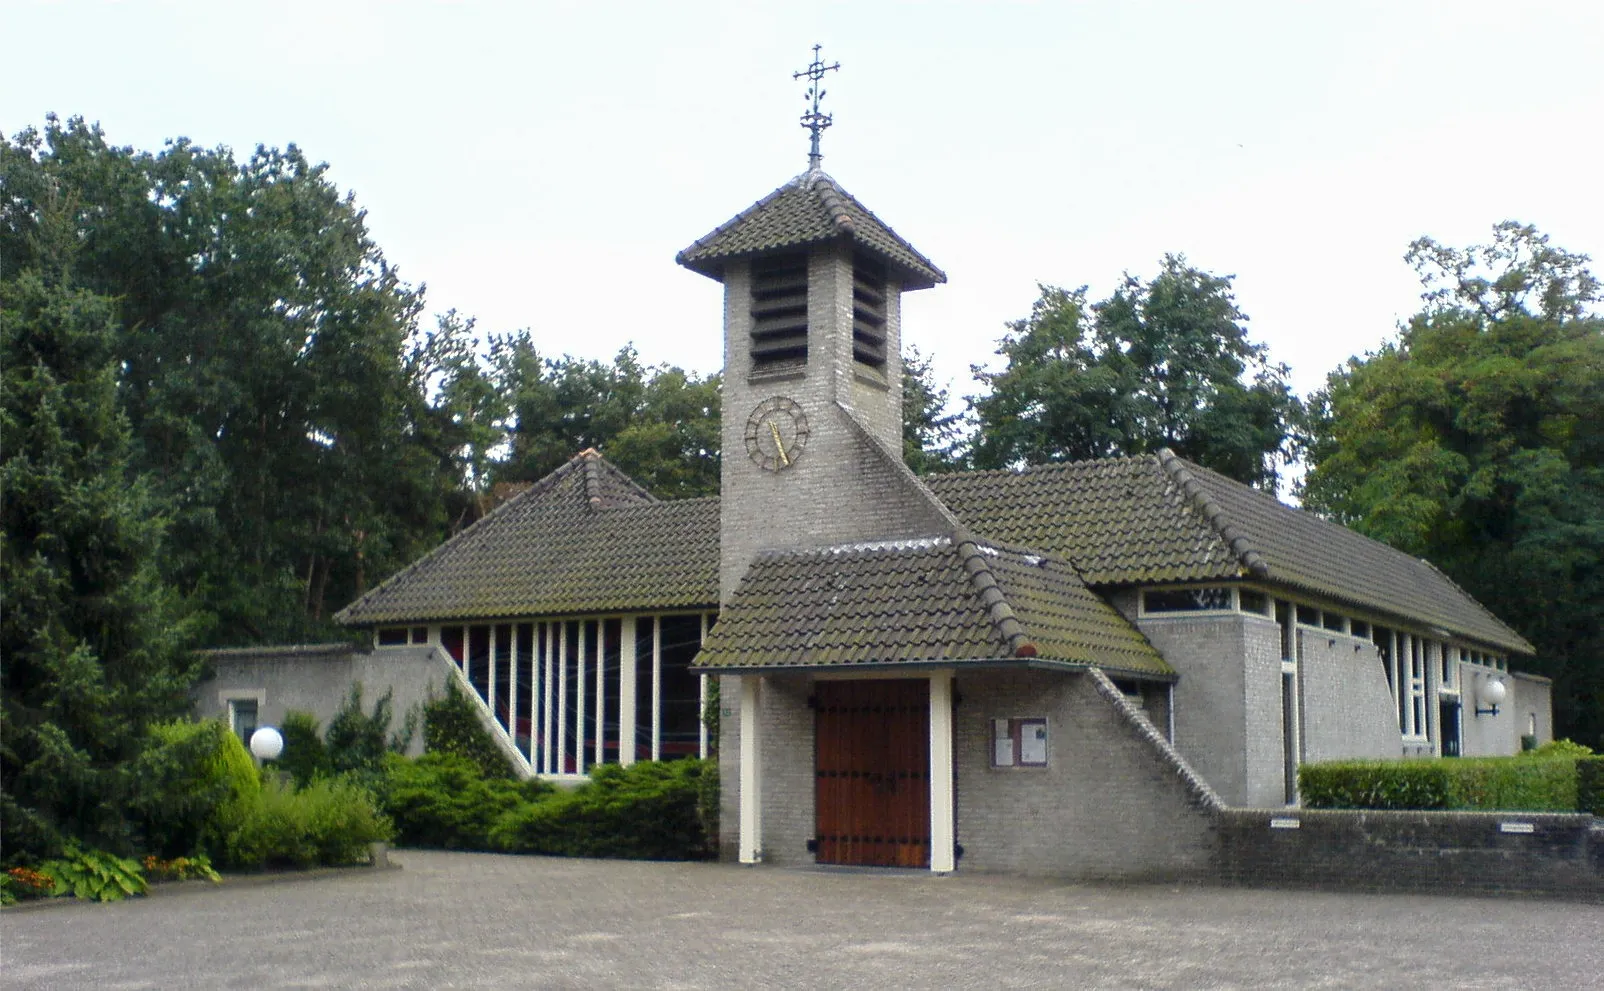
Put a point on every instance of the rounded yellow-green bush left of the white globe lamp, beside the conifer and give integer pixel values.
(187, 774)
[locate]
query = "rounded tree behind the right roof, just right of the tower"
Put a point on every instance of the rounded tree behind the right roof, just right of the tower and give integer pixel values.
(1164, 363)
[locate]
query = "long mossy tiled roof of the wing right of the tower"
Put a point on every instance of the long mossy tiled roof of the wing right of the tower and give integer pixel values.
(1157, 519)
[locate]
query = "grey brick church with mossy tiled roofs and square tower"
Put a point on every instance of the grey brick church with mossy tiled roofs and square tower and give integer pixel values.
(1058, 669)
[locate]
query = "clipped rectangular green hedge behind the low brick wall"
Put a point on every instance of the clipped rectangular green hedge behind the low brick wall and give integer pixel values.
(1467, 783)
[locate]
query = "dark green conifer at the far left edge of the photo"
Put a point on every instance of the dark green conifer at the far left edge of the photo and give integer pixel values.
(94, 645)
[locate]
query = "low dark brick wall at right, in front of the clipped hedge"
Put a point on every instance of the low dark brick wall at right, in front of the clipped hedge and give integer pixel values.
(1417, 852)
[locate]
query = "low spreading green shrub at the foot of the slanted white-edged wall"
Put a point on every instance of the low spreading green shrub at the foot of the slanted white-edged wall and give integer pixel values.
(445, 801)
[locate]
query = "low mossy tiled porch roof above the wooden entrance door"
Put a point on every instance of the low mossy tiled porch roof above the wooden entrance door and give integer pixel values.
(941, 601)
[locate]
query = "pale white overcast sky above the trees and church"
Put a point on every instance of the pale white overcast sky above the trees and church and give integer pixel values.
(540, 164)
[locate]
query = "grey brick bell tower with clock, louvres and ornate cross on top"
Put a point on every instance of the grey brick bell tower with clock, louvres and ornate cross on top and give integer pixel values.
(812, 370)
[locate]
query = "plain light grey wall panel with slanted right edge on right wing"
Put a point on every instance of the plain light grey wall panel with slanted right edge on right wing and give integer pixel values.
(1348, 705)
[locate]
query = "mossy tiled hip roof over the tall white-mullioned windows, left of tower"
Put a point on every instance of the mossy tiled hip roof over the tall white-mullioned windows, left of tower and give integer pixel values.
(585, 540)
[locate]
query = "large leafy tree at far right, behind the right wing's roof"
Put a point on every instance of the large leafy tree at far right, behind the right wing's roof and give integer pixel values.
(1476, 440)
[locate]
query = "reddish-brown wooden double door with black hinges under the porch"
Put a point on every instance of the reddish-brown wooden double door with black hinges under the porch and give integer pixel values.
(873, 774)
